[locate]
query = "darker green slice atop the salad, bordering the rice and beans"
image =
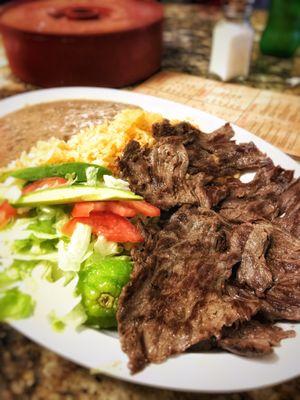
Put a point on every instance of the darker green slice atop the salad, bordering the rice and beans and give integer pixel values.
(62, 170)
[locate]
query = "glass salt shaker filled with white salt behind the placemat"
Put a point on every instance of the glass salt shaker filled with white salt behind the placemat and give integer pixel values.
(232, 41)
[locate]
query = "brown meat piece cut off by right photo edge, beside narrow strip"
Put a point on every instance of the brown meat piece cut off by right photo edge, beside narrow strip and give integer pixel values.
(282, 300)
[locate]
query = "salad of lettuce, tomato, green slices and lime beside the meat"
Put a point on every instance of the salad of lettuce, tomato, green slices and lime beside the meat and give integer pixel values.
(66, 231)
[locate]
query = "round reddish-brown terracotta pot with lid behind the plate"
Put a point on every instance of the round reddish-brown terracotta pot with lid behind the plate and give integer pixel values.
(85, 42)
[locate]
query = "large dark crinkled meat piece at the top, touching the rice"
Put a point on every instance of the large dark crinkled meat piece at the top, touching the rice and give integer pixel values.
(185, 165)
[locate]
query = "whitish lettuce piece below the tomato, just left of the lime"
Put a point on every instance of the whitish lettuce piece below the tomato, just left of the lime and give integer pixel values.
(71, 256)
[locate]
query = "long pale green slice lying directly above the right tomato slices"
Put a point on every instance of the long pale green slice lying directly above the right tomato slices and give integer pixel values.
(74, 194)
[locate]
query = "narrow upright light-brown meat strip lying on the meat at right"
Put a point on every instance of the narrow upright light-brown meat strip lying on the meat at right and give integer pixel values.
(254, 271)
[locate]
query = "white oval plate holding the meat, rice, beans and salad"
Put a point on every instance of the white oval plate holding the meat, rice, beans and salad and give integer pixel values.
(206, 372)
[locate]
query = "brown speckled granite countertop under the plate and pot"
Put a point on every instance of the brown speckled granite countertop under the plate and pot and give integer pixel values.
(28, 371)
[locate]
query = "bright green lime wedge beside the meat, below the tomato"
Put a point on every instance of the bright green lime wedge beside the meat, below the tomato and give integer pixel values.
(100, 284)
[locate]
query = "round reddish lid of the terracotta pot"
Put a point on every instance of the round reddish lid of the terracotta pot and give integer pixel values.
(80, 17)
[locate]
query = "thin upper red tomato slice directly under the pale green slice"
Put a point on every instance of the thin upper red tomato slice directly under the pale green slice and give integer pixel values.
(122, 208)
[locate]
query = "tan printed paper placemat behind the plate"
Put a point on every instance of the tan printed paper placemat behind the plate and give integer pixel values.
(274, 117)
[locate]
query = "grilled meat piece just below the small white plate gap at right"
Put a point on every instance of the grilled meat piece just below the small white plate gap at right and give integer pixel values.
(258, 199)
